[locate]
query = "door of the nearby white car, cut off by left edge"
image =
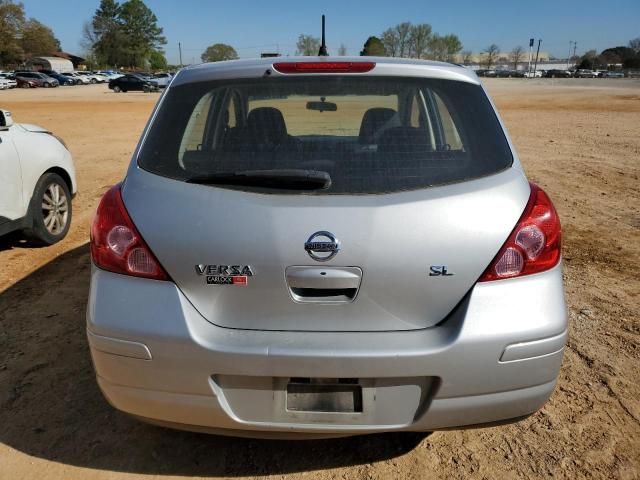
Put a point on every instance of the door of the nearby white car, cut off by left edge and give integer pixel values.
(11, 201)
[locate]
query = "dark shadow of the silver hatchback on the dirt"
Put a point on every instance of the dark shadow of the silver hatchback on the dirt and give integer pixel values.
(50, 405)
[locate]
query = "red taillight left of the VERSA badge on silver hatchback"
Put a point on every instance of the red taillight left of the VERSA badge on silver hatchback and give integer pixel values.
(116, 244)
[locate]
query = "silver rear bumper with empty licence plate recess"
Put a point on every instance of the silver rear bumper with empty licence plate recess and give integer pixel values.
(495, 358)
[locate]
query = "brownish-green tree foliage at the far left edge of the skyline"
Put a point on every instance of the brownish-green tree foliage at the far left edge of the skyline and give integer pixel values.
(21, 37)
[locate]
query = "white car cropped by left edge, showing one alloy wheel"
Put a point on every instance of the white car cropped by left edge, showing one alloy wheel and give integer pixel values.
(37, 182)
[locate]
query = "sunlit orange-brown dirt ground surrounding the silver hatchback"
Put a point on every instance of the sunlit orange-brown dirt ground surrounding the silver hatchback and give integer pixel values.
(580, 140)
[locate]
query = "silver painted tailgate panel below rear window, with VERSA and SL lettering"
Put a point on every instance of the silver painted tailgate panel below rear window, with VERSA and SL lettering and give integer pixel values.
(410, 256)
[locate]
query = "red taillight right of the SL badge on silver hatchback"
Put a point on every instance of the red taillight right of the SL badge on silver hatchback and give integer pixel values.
(533, 246)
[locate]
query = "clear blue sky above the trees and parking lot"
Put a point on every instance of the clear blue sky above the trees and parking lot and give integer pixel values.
(261, 26)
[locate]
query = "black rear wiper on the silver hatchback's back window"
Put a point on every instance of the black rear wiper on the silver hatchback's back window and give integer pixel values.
(286, 179)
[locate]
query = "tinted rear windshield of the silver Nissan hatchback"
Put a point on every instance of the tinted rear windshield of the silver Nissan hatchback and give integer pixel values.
(370, 134)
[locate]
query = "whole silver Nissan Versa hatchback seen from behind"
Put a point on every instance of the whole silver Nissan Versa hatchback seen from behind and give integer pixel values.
(312, 247)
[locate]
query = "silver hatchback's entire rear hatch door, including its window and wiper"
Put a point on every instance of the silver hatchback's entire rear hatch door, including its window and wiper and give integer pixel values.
(325, 203)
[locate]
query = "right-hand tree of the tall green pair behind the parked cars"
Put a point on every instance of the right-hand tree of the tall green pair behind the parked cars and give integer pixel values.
(141, 31)
